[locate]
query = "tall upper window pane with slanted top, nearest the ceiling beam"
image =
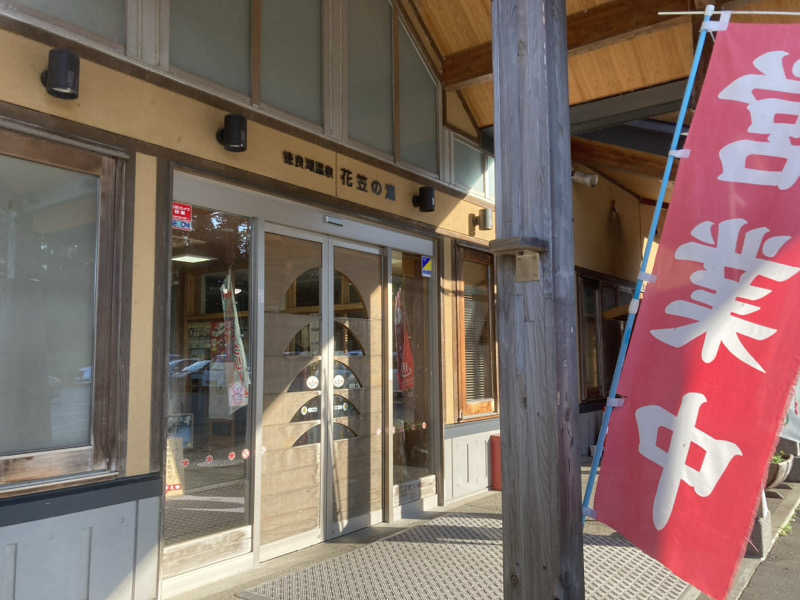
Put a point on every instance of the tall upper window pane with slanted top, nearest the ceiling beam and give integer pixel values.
(417, 131)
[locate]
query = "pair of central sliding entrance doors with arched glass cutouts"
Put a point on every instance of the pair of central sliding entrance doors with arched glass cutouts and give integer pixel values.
(322, 472)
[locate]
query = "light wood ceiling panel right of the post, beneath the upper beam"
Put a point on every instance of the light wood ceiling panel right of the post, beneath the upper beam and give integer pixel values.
(663, 54)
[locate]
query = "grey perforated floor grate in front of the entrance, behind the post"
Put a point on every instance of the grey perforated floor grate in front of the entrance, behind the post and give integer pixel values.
(461, 556)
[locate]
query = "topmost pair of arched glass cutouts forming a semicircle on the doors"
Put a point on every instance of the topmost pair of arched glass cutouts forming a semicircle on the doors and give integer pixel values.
(303, 296)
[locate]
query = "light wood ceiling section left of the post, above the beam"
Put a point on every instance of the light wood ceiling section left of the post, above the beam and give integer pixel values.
(457, 25)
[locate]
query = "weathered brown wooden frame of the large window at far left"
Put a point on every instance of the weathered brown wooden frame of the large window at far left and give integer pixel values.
(103, 456)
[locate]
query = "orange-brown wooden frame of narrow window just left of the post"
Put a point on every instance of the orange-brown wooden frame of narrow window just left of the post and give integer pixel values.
(489, 408)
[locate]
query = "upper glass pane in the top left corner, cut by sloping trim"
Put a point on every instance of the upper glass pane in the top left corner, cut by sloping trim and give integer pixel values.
(105, 18)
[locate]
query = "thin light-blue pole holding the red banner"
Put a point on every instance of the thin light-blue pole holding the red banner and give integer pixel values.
(626, 338)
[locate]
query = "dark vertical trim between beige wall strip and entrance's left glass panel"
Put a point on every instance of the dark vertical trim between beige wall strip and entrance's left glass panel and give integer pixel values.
(161, 304)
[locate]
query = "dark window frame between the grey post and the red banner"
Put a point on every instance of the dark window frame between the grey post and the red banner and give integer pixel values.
(588, 404)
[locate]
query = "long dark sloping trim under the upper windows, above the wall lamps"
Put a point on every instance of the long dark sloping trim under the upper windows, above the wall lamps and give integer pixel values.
(164, 81)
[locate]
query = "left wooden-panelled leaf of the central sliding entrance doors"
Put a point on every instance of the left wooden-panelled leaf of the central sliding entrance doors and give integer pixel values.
(291, 492)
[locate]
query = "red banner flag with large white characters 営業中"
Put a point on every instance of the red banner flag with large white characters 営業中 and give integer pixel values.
(716, 346)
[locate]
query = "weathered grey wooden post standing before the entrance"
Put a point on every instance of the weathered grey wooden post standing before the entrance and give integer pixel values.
(542, 532)
